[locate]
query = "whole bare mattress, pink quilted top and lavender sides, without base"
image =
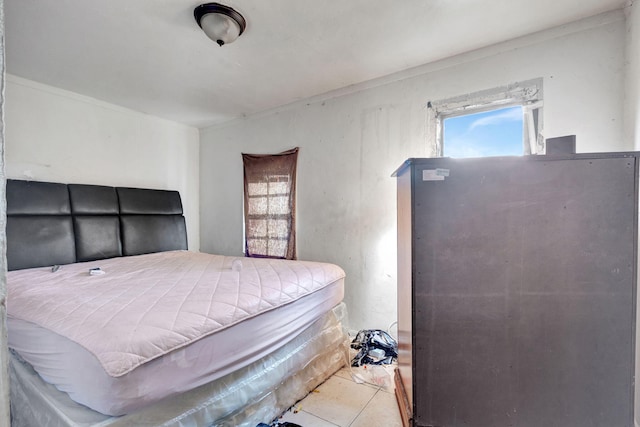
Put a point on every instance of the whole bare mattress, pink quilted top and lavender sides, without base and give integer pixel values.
(162, 312)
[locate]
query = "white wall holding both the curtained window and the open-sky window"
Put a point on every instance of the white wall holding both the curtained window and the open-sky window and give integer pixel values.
(351, 144)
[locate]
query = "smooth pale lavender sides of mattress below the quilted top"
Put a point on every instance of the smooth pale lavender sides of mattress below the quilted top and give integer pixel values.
(75, 370)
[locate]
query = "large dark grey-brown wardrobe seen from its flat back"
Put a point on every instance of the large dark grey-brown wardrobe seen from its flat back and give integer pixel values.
(517, 291)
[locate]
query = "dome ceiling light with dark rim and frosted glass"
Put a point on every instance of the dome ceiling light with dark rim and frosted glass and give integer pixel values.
(220, 23)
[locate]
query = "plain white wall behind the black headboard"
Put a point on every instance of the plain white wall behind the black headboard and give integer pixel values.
(59, 136)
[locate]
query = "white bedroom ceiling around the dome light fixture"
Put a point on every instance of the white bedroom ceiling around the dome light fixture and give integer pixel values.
(151, 56)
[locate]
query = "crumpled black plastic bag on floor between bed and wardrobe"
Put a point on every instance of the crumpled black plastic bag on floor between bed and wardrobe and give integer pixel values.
(376, 347)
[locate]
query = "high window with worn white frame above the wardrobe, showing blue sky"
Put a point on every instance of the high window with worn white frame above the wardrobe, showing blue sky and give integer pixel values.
(499, 122)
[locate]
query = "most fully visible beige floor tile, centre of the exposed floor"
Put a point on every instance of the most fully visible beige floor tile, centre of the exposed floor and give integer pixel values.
(337, 400)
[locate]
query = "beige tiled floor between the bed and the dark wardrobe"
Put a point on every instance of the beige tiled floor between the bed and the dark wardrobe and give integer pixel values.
(342, 402)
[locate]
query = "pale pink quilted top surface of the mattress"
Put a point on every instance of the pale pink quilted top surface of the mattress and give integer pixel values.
(149, 305)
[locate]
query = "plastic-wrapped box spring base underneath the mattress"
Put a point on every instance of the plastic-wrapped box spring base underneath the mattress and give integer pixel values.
(257, 393)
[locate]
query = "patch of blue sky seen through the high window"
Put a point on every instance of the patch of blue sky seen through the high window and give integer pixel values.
(490, 133)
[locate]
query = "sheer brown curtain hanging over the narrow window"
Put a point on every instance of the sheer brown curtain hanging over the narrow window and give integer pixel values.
(270, 204)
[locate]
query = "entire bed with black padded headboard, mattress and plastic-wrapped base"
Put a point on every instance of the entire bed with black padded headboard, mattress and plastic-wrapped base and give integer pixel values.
(113, 322)
